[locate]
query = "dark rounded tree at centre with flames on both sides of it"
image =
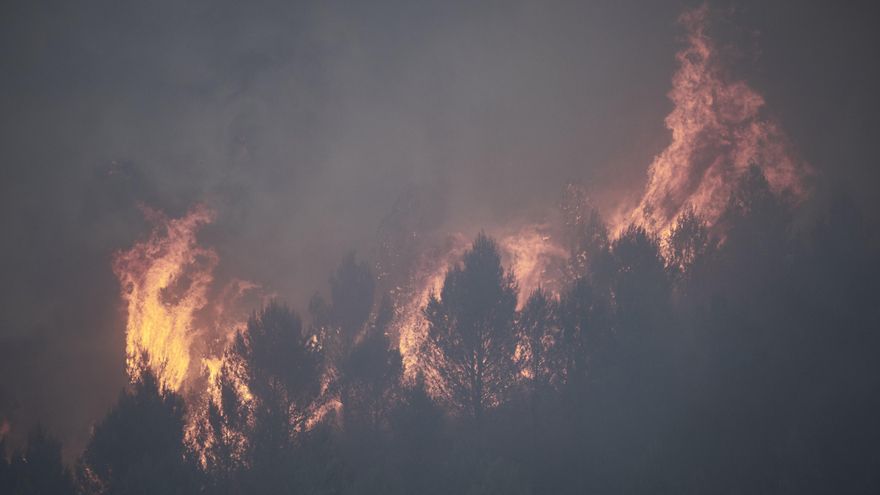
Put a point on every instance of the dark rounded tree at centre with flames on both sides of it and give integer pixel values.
(471, 325)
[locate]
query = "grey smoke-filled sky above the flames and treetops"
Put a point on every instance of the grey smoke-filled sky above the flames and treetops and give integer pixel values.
(301, 123)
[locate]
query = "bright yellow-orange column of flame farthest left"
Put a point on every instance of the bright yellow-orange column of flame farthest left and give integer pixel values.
(165, 281)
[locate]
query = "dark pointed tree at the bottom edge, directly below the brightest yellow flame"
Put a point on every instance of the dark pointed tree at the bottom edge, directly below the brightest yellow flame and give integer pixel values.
(139, 446)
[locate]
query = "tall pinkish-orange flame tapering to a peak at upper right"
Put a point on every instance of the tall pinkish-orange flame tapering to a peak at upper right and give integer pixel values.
(718, 133)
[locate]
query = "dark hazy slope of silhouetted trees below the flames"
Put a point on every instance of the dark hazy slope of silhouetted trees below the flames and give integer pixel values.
(736, 359)
